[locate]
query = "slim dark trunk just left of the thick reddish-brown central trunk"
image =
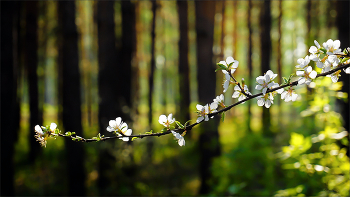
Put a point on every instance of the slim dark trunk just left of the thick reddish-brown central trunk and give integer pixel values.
(184, 85)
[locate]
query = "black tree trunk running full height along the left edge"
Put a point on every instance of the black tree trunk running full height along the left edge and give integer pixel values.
(9, 101)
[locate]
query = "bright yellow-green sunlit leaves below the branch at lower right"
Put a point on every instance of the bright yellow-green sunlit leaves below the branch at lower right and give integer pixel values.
(322, 156)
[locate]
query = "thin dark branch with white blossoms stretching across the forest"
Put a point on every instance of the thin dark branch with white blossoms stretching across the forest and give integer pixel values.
(328, 57)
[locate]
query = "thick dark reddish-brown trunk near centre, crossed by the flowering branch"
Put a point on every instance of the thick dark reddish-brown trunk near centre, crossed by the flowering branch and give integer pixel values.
(209, 146)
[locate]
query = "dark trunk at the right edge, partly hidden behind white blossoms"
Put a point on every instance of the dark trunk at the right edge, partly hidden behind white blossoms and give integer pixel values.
(343, 23)
